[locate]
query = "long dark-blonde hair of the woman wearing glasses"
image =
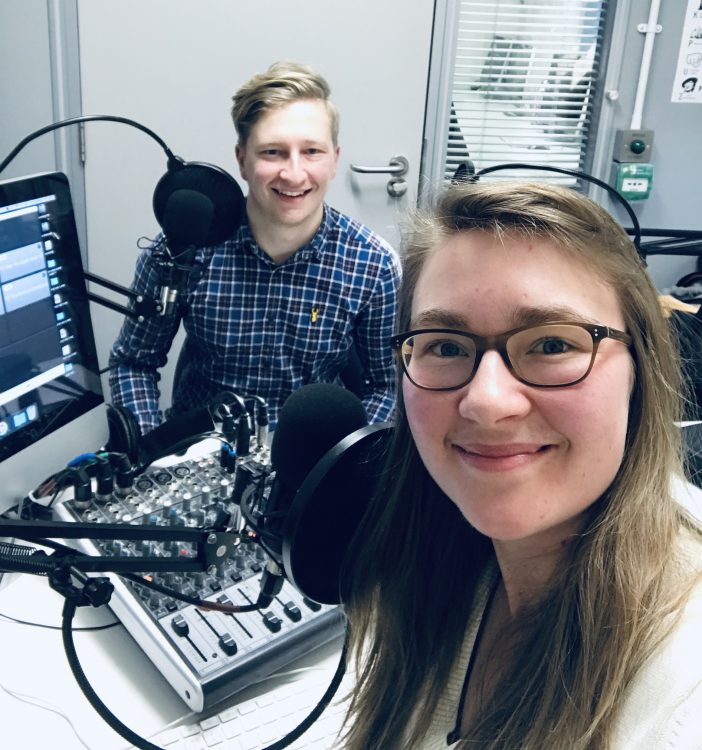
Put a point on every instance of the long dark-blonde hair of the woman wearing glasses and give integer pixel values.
(416, 560)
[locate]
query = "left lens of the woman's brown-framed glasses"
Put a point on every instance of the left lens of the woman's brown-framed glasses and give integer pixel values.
(438, 360)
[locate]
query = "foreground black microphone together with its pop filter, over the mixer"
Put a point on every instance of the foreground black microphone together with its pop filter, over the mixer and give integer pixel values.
(327, 460)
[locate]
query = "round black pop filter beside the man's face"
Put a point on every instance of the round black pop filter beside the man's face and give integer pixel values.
(220, 193)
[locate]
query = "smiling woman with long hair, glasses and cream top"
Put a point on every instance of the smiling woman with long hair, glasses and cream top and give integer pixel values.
(526, 578)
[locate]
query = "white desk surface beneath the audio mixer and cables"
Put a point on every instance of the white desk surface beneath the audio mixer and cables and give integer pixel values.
(34, 663)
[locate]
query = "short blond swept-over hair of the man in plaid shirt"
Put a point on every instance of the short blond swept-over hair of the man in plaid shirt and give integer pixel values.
(282, 83)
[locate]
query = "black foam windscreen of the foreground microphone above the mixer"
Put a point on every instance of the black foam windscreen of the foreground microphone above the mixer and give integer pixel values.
(313, 419)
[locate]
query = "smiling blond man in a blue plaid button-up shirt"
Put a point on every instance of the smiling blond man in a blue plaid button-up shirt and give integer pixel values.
(288, 299)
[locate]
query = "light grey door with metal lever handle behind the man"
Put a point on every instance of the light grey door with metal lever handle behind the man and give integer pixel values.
(173, 65)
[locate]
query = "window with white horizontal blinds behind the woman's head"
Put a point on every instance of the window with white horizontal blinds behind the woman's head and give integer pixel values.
(522, 86)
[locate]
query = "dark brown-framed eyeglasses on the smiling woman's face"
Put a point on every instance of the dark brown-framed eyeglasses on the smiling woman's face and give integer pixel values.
(547, 356)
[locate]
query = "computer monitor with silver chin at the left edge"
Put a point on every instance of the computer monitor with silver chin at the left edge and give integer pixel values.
(51, 402)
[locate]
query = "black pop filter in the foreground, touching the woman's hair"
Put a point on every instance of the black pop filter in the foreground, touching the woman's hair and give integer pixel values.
(327, 510)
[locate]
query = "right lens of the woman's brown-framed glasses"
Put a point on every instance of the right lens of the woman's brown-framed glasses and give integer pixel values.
(551, 354)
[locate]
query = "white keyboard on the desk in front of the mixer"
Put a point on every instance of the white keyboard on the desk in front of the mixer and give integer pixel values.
(259, 720)
